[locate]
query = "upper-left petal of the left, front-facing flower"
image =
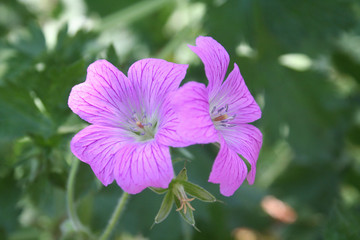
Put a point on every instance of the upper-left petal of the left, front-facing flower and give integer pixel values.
(101, 99)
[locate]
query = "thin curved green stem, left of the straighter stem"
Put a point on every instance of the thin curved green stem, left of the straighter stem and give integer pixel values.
(70, 196)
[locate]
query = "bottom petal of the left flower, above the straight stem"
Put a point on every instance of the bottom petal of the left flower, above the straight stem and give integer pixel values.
(142, 165)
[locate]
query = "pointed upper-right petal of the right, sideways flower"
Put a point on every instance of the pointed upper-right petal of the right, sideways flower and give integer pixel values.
(237, 96)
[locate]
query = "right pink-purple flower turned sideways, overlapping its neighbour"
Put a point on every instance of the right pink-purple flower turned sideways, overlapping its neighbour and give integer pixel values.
(220, 113)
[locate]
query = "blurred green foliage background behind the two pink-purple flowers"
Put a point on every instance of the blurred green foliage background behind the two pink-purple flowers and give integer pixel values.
(300, 60)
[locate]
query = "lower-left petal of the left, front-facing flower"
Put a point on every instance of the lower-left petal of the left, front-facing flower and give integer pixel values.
(97, 146)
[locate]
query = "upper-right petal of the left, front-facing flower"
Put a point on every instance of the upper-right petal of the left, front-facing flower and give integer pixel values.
(153, 79)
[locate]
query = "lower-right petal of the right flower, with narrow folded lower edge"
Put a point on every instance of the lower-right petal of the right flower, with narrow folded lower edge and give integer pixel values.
(246, 140)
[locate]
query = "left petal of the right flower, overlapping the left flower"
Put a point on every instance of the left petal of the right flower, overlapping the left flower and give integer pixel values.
(191, 106)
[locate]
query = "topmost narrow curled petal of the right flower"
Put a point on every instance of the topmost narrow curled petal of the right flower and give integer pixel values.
(215, 59)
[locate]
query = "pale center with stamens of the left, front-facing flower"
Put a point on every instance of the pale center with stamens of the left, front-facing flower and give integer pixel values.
(142, 127)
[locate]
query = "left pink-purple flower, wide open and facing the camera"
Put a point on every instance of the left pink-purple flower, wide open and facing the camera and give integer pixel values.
(132, 122)
